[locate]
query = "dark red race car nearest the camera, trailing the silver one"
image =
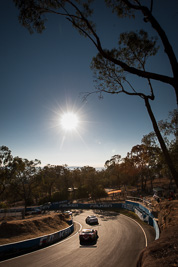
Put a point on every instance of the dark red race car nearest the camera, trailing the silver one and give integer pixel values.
(88, 236)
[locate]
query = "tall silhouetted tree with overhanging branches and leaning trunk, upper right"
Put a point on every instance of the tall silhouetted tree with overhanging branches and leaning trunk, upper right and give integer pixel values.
(113, 65)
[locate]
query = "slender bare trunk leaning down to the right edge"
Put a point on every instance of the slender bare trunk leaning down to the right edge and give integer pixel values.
(168, 159)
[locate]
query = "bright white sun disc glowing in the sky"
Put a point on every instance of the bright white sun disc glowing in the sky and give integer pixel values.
(69, 121)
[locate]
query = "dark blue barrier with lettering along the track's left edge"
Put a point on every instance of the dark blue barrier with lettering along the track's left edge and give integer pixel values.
(35, 243)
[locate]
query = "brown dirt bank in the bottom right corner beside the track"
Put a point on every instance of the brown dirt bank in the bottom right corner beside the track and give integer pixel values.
(164, 251)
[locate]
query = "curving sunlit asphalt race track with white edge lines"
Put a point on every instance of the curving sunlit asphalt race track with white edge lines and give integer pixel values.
(120, 241)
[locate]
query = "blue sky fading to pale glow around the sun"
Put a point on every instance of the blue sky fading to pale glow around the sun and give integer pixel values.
(43, 76)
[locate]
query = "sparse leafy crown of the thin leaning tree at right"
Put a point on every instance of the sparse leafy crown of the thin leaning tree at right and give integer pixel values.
(133, 47)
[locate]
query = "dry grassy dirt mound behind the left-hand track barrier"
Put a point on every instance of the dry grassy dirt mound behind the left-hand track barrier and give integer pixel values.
(17, 230)
